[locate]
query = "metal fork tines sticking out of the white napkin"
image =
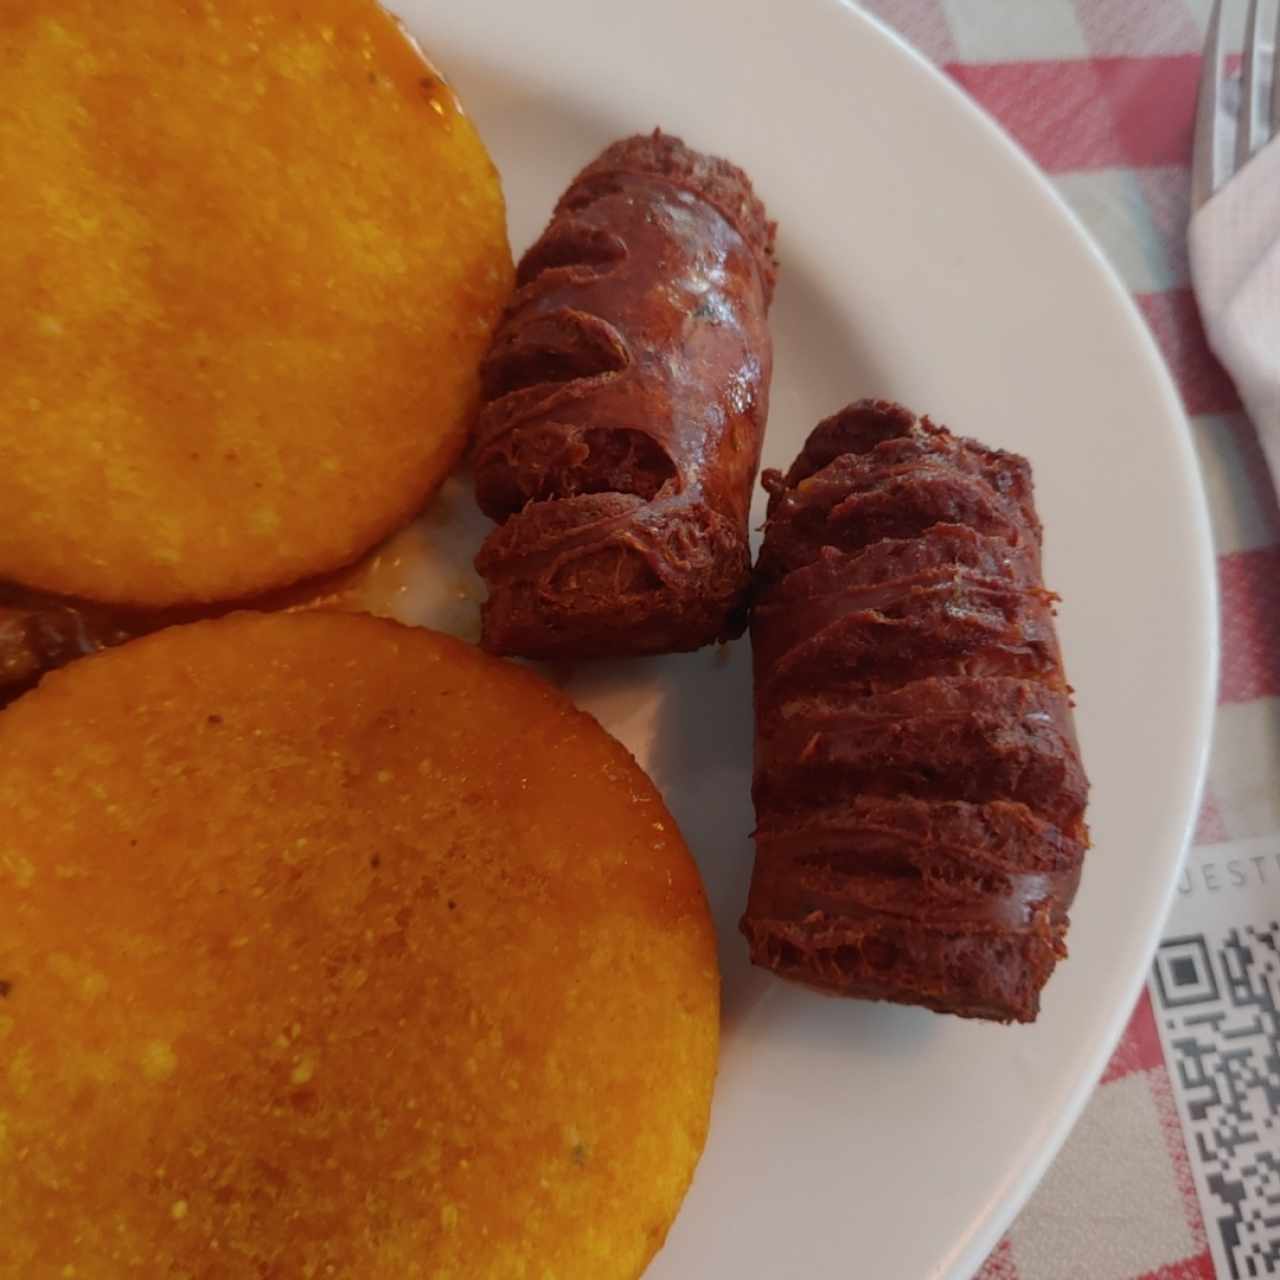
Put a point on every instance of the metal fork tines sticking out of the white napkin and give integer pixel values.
(1215, 159)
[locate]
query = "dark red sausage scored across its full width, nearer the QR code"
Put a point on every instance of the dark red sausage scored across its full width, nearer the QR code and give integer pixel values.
(918, 785)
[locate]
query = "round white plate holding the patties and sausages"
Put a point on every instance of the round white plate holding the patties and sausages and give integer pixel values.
(924, 259)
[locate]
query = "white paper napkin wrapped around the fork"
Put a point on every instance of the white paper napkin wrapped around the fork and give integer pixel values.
(1236, 271)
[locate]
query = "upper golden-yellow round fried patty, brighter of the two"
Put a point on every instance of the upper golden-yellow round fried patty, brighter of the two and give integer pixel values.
(253, 253)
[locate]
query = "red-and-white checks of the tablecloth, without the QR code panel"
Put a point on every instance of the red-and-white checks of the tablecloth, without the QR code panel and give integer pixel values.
(1101, 94)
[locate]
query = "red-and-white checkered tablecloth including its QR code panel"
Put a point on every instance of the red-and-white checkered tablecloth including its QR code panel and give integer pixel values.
(1174, 1171)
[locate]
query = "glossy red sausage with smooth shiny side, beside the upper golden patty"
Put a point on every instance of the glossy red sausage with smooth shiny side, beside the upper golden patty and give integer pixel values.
(627, 396)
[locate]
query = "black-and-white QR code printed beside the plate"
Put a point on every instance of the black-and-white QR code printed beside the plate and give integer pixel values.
(1220, 1003)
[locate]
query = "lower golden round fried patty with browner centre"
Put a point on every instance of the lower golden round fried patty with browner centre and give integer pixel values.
(335, 949)
